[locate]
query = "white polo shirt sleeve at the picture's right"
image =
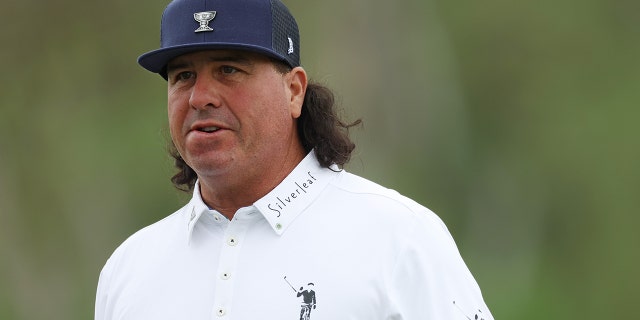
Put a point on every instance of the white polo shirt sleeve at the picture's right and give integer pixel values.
(430, 280)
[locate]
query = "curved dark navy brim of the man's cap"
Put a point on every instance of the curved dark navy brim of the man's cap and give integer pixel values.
(156, 60)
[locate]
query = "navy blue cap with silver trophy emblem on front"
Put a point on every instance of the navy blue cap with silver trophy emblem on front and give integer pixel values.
(263, 26)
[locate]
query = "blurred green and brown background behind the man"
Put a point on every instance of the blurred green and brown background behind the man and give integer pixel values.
(515, 121)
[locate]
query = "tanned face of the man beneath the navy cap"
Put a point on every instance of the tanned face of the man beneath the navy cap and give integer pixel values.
(231, 113)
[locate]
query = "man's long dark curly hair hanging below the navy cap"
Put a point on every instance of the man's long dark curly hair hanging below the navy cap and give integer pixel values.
(319, 128)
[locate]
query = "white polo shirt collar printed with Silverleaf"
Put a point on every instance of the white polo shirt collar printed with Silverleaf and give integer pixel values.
(286, 201)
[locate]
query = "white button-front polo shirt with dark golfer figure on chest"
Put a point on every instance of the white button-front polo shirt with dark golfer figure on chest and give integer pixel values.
(323, 245)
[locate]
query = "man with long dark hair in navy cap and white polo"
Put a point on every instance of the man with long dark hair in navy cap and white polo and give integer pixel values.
(261, 149)
